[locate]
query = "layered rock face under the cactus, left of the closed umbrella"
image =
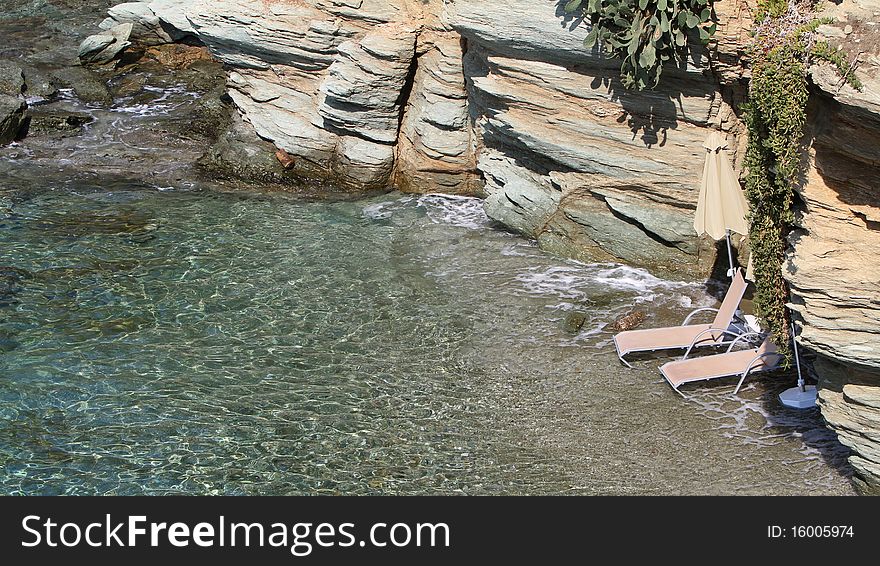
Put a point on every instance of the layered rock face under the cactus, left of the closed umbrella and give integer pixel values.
(571, 158)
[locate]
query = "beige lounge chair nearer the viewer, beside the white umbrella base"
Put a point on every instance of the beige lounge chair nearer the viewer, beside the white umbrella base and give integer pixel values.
(731, 363)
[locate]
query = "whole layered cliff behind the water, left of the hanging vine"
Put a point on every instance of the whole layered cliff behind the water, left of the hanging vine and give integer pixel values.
(467, 97)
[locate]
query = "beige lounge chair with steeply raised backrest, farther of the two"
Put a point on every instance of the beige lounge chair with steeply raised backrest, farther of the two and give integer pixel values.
(687, 335)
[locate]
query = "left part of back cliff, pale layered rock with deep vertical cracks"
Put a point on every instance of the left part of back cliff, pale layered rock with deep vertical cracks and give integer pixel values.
(360, 92)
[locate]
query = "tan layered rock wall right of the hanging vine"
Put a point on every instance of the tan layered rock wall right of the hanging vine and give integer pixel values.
(833, 268)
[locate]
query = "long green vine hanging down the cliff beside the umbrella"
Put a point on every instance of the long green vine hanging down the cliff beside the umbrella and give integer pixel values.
(785, 44)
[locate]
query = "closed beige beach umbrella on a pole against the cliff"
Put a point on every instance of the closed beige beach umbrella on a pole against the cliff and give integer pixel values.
(722, 206)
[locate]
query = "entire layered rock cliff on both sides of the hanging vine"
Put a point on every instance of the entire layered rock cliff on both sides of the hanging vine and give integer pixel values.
(500, 99)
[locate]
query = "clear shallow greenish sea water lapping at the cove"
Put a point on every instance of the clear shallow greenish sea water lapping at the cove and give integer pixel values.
(199, 342)
